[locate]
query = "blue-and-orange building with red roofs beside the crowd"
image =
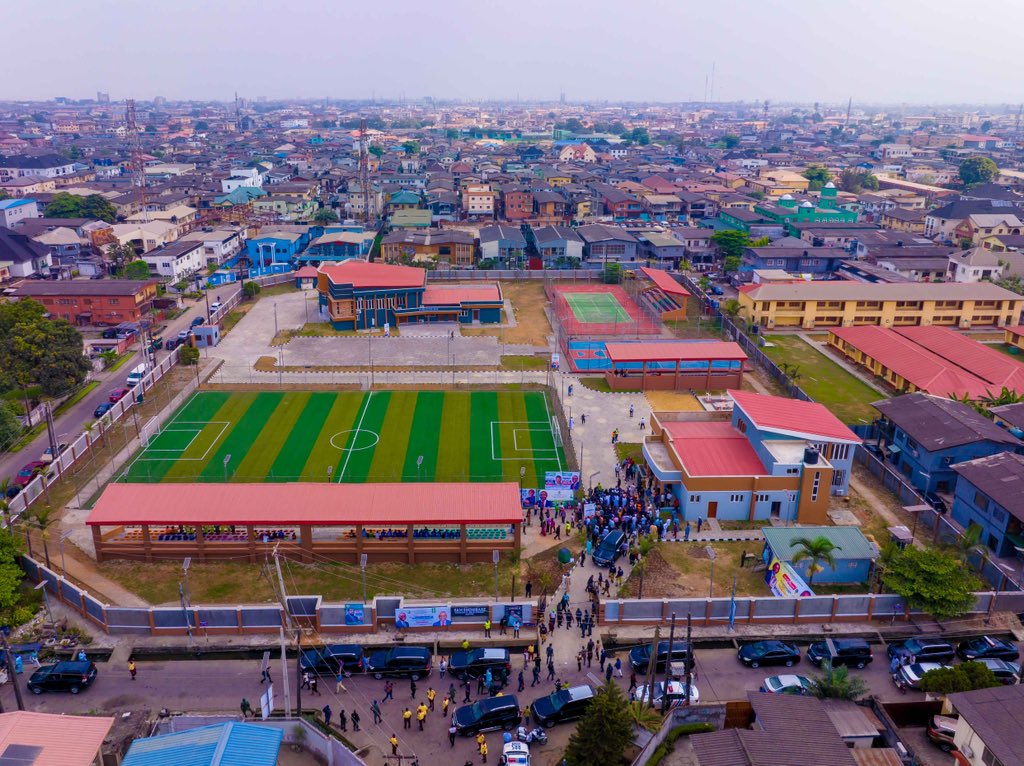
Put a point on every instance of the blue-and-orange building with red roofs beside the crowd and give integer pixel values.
(775, 459)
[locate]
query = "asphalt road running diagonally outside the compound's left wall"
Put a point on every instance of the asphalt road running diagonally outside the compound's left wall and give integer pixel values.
(70, 424)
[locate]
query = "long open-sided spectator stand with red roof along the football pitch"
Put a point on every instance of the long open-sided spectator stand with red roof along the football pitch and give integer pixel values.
(408, 523)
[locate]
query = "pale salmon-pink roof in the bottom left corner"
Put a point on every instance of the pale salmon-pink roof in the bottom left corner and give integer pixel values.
(66, 741)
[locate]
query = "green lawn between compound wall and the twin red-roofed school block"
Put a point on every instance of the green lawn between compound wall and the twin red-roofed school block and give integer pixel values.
(825, 381)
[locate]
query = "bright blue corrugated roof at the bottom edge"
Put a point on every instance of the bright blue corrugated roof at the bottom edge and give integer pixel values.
(222, 745)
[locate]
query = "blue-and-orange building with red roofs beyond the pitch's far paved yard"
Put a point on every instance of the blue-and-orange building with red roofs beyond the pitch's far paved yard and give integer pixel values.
(361, 295)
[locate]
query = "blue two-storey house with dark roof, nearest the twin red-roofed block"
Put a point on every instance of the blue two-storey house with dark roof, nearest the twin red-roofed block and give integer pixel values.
(926, 437)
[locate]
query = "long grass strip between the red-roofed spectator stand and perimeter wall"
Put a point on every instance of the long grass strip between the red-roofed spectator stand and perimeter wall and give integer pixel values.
(232, 583)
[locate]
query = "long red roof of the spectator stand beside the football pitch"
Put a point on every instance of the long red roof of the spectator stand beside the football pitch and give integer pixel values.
(309, 503)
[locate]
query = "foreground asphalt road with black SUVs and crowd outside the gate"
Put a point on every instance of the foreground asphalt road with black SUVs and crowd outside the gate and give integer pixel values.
(220, 686)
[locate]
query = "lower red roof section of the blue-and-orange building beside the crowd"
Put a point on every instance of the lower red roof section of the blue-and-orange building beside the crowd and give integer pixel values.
(713, 449)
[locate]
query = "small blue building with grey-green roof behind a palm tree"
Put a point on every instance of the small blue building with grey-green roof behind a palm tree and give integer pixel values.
(855, 554)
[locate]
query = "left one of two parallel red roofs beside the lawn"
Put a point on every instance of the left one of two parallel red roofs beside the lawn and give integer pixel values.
(927, 371)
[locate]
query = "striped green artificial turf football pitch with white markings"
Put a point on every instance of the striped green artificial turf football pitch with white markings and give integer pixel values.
(354, 437)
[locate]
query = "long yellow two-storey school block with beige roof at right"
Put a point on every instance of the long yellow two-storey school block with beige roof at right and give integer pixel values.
(813, 305)
